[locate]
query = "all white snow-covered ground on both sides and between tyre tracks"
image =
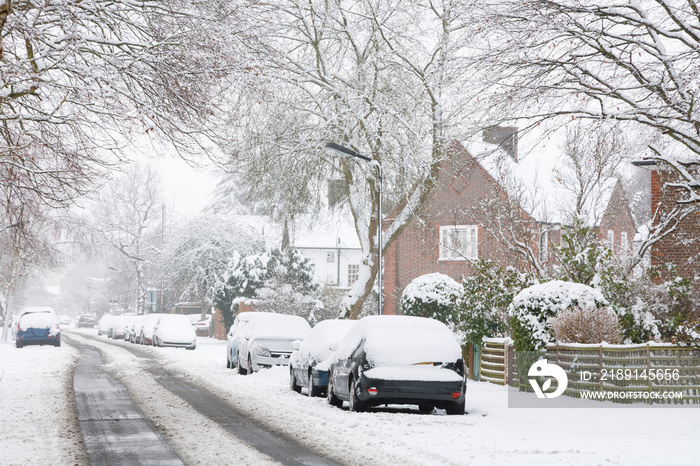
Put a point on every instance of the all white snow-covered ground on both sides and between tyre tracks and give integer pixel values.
(490, 433)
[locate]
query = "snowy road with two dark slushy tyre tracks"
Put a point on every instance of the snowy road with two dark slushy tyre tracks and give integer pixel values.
(116, 433)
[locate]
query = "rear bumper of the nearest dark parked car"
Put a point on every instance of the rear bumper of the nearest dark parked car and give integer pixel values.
(377, 391)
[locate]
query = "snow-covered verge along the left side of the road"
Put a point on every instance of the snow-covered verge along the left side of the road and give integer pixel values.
(37, 406)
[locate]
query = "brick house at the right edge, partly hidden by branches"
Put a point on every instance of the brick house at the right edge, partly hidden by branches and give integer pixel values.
(682, 246)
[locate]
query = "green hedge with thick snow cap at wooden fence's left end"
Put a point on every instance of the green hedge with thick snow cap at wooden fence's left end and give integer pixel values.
(533, 308)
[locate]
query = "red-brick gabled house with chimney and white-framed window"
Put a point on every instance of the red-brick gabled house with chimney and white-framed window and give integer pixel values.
(455, 224)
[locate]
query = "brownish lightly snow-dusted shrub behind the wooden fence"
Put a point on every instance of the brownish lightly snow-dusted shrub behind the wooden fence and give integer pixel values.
(587, 325)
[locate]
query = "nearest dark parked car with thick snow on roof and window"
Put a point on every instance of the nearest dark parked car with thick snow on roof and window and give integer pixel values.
(398, 360)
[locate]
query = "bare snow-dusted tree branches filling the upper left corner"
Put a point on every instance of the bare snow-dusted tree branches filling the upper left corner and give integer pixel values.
(80, 79)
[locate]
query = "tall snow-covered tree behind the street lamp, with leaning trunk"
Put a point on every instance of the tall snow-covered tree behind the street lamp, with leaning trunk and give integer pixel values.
(371, 75)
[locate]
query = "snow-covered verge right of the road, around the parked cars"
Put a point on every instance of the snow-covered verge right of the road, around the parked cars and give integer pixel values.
(490, 432)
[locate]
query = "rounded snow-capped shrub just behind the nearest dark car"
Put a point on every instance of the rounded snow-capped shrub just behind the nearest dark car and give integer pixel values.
(431, 295)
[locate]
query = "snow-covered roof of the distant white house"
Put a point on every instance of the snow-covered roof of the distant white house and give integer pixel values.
(329, 229)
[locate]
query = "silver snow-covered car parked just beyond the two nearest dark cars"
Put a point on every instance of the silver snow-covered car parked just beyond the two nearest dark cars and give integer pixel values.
(267, 340)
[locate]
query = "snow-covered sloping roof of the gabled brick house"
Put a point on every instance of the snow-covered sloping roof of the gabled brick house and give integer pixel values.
(534, 181)
